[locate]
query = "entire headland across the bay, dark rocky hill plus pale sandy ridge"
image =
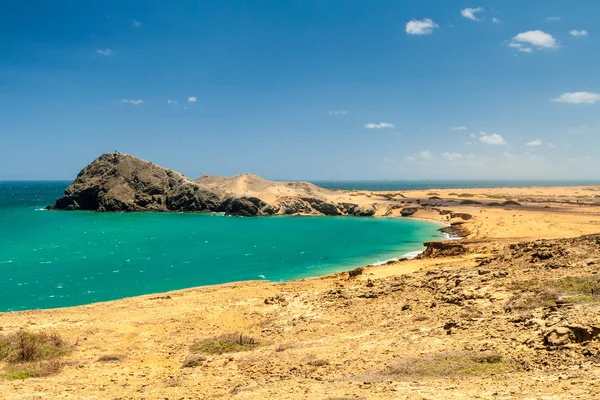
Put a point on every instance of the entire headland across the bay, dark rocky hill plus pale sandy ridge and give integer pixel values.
(121, 182)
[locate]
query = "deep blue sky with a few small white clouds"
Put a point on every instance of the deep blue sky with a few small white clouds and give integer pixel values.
(312, 89)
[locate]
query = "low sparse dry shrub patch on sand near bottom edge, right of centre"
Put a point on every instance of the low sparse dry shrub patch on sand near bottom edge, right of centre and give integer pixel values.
(450, 364)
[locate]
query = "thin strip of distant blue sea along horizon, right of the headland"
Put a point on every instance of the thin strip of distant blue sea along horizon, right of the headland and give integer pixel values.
(390, 185)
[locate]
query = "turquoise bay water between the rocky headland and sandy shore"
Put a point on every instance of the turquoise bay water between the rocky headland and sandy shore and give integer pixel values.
(54, 259)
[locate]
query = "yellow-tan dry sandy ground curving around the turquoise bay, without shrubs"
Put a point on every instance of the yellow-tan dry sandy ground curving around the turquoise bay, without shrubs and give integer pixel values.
(378, 336)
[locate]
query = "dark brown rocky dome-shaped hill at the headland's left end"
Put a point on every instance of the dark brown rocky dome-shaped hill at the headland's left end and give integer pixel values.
(120, 182)
